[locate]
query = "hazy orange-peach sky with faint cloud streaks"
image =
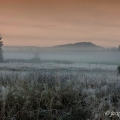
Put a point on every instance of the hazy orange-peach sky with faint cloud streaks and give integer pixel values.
(53, 22)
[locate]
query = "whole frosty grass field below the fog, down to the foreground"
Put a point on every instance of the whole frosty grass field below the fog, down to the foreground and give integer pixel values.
(53, 91)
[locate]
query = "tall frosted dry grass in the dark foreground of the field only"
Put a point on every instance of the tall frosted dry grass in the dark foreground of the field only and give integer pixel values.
(44, 96)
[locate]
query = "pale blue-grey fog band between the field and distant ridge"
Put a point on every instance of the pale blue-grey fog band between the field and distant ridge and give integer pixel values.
(81, 56)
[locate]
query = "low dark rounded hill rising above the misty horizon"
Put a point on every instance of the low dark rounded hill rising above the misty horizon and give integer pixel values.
(80, 46)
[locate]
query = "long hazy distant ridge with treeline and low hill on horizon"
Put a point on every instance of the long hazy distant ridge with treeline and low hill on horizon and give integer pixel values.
(76, 46)
